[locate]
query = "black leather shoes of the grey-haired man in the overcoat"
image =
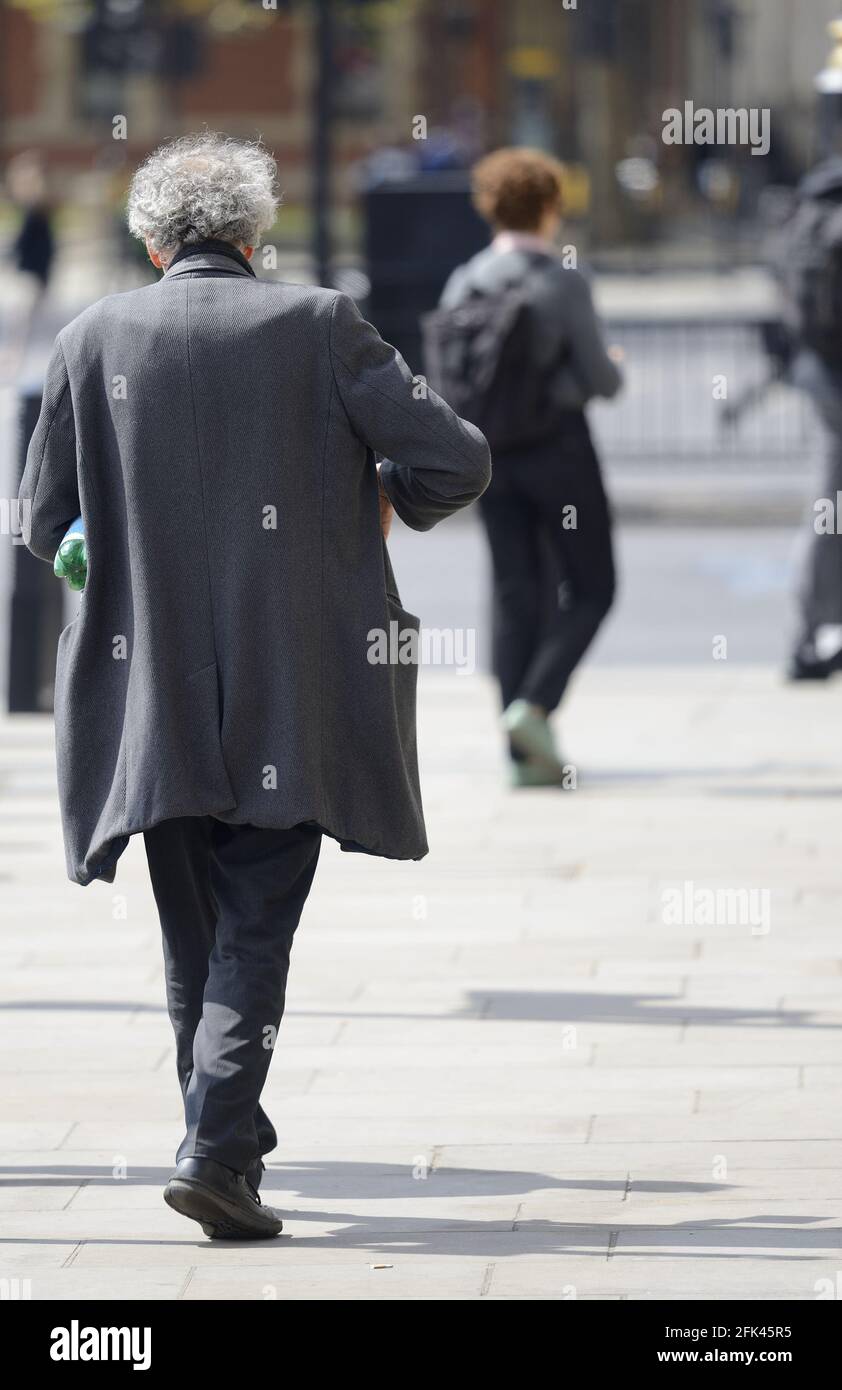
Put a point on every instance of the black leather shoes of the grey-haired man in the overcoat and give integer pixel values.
(222, 1202)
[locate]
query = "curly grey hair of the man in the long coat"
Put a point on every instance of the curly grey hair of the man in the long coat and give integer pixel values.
(204, 187)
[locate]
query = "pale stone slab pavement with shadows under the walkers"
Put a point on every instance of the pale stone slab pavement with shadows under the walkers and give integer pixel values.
(513, 1071)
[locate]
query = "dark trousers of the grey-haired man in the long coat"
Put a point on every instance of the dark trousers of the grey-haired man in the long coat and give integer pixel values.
(230, 900)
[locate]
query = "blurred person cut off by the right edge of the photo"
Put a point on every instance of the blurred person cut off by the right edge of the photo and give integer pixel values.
(809, 268)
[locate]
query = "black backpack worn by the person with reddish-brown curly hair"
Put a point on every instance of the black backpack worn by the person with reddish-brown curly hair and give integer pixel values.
(480, 358)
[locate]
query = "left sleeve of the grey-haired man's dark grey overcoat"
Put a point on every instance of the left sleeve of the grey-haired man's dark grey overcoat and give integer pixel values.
(49, 497)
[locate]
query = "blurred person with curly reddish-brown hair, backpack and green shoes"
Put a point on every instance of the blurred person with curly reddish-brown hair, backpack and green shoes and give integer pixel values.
(518, 350)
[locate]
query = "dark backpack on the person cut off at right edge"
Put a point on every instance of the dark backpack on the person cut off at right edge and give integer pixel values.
(812, 276)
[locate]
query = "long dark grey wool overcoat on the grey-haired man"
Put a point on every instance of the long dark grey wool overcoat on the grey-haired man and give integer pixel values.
(217, 434)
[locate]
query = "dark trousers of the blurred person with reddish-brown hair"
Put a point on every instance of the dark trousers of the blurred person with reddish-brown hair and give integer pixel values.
(550, 530)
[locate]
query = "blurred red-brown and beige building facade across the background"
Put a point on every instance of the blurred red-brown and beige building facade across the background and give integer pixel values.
(587, 80)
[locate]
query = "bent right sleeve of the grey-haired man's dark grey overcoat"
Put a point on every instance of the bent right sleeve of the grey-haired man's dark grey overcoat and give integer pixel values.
(436, 464)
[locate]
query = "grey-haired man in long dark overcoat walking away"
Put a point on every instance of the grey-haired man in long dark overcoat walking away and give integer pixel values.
(216, 693)
